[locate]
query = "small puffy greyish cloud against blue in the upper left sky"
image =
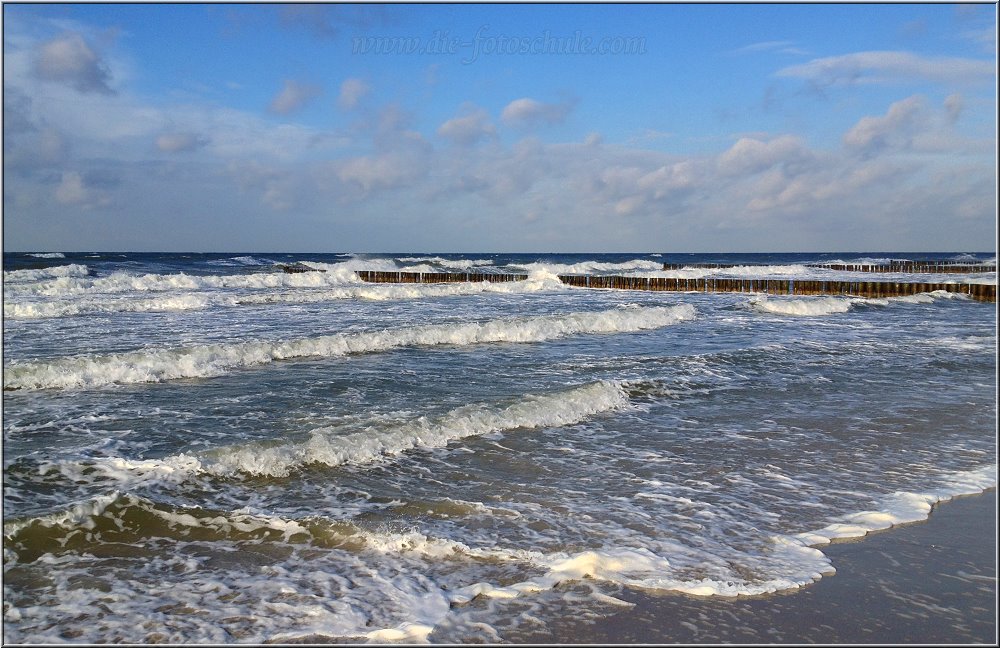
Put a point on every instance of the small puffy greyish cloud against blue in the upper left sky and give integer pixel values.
(69, 59)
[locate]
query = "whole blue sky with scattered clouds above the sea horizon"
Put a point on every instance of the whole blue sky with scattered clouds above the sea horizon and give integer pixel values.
(499, 128)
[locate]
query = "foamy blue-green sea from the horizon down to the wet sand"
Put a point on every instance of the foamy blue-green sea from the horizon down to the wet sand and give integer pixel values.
(200, 448)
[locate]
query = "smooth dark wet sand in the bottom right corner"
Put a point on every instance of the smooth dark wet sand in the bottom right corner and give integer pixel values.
(927, 582)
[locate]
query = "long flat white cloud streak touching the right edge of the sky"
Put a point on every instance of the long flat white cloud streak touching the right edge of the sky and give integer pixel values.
(888, 66)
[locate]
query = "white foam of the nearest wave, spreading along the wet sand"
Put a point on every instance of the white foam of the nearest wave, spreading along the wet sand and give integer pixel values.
(409, 605)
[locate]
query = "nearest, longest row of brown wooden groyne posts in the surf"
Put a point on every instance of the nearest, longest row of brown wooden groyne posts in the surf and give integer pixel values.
(979, 292)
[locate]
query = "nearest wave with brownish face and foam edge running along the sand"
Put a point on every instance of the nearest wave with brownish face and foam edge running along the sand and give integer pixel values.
(790, 562)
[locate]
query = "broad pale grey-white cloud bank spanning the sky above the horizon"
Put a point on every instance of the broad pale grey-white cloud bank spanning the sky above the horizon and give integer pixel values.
(900, 165)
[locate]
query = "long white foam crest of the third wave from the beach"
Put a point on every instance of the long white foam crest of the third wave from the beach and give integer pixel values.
(155, 365)
